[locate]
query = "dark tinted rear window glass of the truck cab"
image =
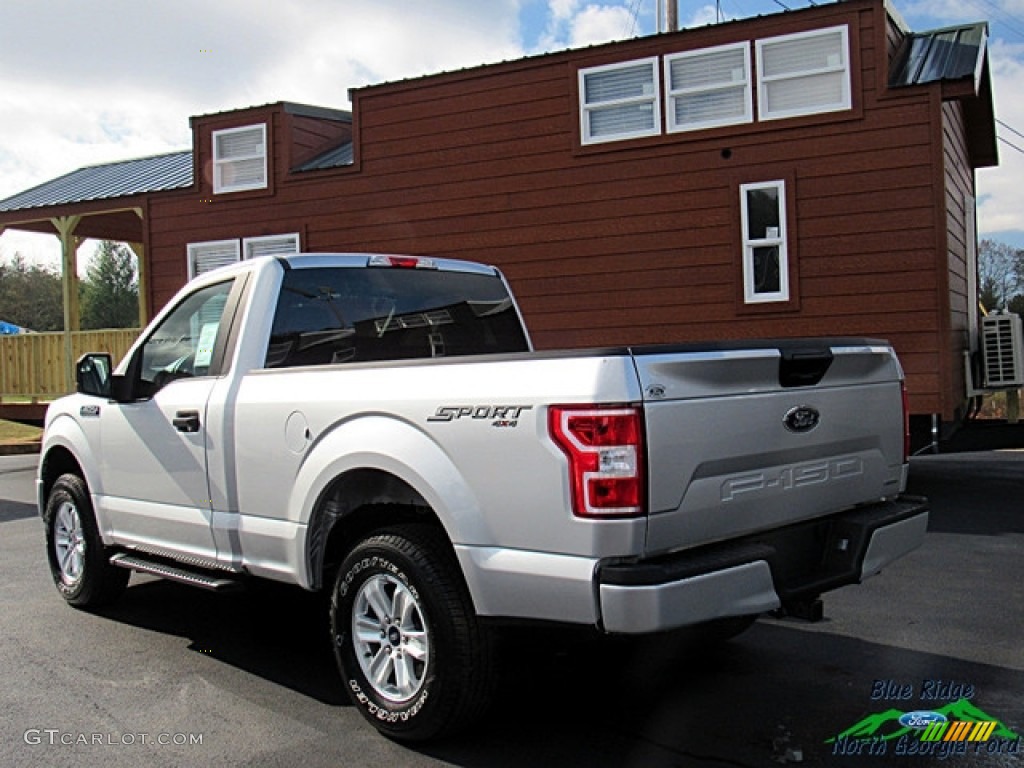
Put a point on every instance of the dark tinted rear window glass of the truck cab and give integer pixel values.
(336, 315)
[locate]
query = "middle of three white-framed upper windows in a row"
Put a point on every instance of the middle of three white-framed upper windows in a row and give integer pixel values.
(709, 89)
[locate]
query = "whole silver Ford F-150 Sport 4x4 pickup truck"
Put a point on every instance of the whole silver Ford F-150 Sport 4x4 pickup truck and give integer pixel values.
(378, 428)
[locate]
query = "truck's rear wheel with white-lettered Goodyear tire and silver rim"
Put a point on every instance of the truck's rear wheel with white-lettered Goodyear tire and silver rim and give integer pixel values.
(435, 664)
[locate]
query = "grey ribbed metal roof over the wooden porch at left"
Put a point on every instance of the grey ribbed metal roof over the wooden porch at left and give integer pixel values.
(121, 180)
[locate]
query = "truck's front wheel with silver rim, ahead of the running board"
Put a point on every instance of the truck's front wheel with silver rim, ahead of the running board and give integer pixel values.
(79, 563)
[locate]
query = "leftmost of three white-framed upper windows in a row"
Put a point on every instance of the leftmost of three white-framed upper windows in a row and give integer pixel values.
(619, 102)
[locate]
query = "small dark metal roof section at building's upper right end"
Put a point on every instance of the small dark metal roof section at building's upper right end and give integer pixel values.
(952, 54)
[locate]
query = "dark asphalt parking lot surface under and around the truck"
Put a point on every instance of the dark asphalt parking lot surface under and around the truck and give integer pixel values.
(175, 676)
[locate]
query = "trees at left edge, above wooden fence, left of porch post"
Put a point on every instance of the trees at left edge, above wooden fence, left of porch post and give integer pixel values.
(31, 296)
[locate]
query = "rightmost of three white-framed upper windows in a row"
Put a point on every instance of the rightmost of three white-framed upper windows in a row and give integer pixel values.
(804, 74)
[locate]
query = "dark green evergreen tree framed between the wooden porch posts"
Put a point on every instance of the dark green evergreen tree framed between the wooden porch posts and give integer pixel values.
(110, 291)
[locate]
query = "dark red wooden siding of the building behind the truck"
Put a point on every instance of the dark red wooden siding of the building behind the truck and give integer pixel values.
(635, 241)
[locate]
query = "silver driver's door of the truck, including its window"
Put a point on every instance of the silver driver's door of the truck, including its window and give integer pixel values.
(156, 494)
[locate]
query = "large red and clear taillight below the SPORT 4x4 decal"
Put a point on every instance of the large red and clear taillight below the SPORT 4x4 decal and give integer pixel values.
(605, 447)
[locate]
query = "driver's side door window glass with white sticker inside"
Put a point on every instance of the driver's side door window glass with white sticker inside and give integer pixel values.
(185, 345)
